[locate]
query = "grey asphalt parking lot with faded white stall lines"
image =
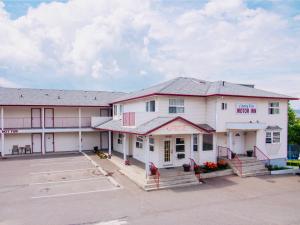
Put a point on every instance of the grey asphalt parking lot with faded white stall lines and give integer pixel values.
(70, 190)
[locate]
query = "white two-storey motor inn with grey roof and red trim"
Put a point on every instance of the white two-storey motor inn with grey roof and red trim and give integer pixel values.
(167, 124)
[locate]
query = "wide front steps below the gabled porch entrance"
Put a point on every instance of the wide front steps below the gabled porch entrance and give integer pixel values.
(171, 178)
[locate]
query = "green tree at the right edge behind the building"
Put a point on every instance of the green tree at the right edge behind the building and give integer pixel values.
(293, 127)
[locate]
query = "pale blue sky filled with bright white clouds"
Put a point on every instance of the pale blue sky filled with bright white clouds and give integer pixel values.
(128, 45)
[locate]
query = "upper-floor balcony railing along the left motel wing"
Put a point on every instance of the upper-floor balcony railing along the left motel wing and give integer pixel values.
(49, 122)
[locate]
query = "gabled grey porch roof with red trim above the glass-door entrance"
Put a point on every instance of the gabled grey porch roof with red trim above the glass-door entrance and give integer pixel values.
(158, 126)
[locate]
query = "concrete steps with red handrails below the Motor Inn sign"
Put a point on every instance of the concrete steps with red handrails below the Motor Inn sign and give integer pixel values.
(248, 166)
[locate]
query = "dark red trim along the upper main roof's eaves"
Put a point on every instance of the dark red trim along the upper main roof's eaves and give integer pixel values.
(186, 95)
